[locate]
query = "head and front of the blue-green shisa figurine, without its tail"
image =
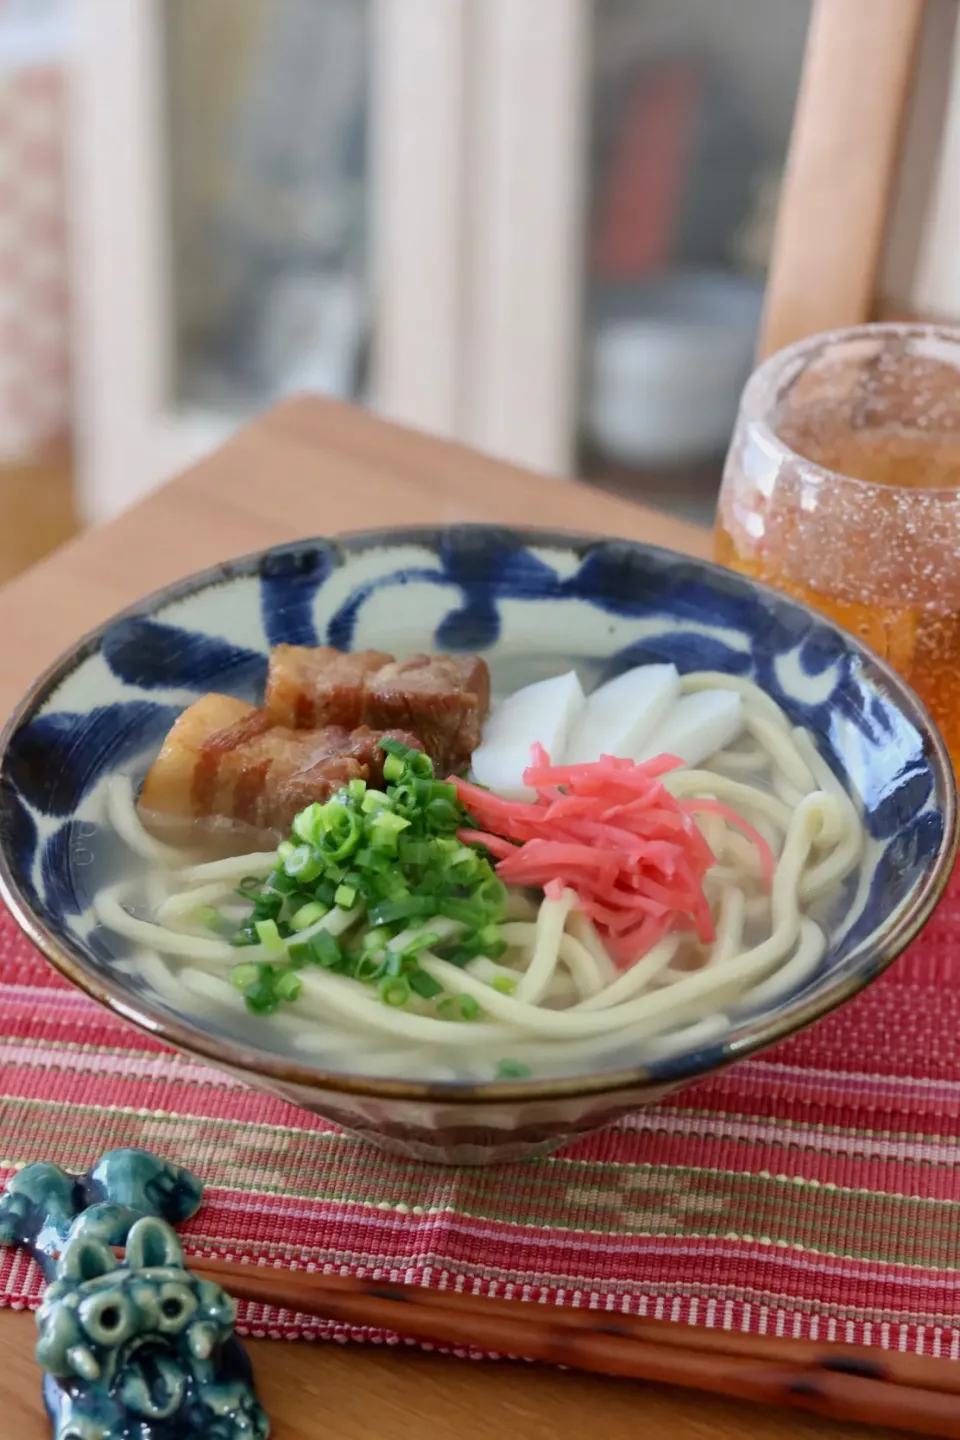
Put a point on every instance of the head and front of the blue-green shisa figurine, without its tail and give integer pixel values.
(142, 1349)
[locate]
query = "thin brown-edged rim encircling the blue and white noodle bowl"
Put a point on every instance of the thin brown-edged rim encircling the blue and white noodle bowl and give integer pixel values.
(70, 960)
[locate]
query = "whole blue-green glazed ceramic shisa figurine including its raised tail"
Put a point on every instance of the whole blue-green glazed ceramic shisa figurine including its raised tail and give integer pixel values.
(136, 1349)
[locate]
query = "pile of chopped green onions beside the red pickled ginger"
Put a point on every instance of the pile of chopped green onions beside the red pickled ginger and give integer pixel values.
(392, 858)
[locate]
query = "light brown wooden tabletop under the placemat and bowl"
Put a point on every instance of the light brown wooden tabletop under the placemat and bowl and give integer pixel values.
(310, 469)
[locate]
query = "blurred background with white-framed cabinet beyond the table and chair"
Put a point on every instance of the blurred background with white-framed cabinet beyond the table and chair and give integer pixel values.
(542, 227)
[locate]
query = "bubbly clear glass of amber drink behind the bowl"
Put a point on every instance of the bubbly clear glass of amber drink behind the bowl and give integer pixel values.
(843, 487)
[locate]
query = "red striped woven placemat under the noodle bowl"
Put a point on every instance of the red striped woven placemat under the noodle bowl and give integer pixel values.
(814, 1192)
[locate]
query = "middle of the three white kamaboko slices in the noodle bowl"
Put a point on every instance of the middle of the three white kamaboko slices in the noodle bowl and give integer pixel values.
(624, 715)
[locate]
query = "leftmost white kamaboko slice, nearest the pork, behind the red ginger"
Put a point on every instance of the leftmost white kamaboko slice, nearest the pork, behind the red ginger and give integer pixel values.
(543, 714)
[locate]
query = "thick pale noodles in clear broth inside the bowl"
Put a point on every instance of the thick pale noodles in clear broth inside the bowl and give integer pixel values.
(555, 1002)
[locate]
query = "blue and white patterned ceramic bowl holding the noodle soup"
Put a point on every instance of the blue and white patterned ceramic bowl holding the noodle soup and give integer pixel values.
(533, 604)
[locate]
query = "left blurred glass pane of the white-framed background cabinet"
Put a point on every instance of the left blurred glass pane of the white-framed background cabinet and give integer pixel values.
(268, 175)
